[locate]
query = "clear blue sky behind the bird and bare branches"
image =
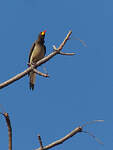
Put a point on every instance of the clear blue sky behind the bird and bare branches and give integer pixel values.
(80, 88)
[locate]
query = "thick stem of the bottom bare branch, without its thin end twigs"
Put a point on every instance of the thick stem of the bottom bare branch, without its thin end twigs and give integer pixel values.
(60, 141)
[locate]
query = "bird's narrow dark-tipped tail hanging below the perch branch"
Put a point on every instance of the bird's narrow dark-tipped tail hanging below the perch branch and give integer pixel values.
(32, 78)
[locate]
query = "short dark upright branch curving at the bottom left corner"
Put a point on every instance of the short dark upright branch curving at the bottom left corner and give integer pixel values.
(9, 129)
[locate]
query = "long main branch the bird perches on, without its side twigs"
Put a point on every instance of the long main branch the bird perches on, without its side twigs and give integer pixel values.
(42, 61)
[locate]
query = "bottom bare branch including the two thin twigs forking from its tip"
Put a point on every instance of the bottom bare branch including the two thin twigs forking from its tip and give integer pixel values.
(68, 136)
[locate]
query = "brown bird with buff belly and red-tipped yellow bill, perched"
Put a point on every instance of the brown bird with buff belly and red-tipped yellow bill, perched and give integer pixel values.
(37, 52)
